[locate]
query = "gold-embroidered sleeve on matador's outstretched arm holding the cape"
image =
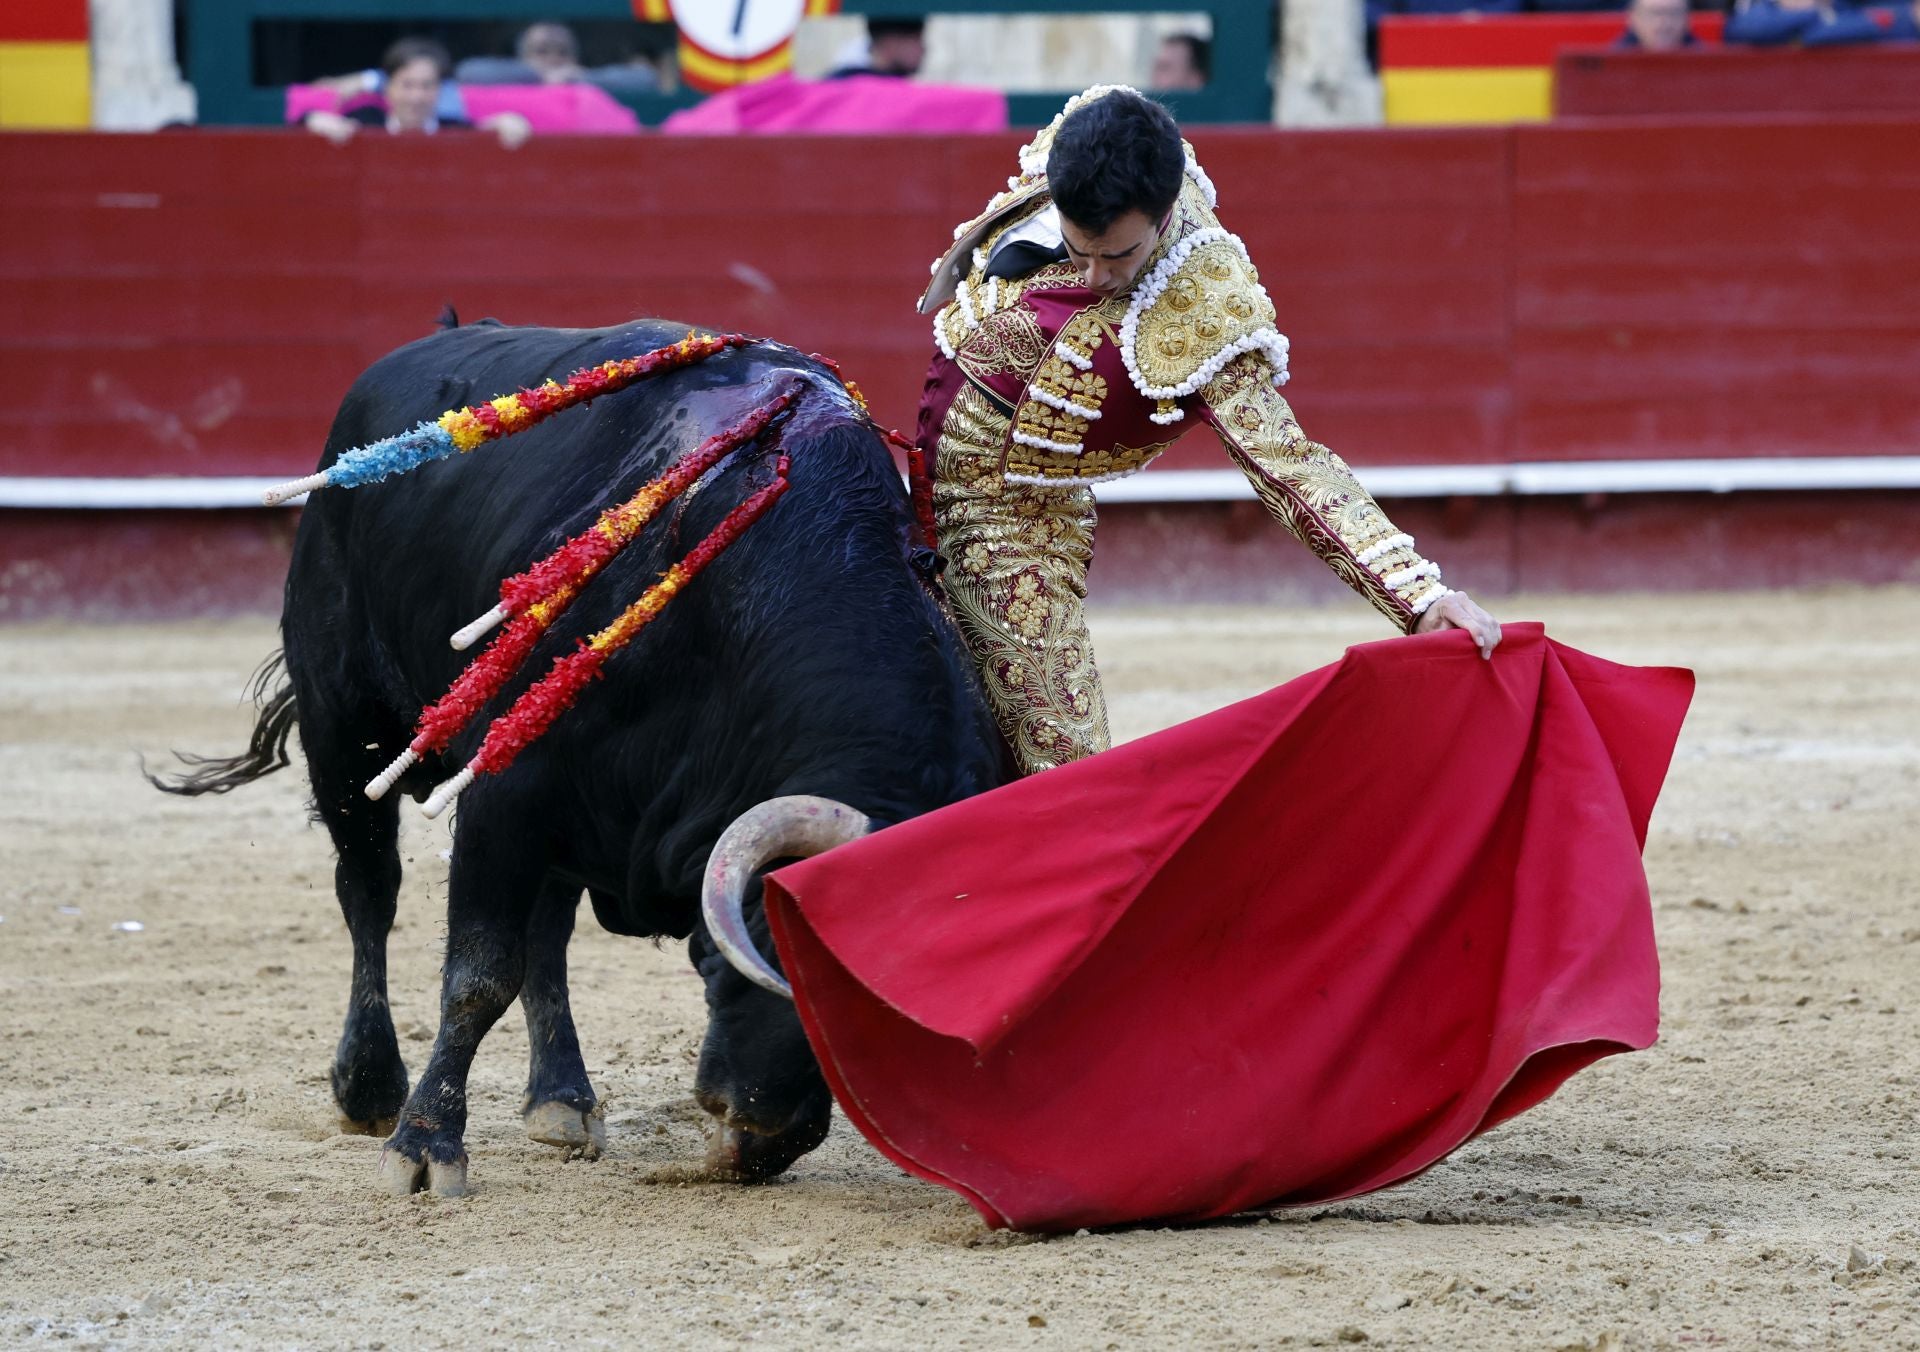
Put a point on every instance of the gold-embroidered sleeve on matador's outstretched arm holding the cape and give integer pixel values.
(1316, 496)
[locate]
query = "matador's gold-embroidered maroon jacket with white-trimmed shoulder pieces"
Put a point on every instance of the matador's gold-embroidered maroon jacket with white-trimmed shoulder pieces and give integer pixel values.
(1063, 385)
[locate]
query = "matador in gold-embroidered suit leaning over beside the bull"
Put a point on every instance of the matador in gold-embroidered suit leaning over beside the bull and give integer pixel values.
(1082, 318)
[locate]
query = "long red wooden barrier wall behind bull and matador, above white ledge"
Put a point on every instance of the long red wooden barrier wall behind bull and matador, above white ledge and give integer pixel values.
(197, 304)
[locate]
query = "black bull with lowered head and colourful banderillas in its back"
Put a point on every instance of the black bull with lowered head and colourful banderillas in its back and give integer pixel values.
(809, 660)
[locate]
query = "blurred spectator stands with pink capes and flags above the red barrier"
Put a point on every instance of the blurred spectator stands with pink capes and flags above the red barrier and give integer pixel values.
(608, 66)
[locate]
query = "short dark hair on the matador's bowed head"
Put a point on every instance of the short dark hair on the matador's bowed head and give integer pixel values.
(1116, 155)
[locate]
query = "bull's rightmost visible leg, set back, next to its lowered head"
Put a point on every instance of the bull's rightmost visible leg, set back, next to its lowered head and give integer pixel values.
(560, 1107)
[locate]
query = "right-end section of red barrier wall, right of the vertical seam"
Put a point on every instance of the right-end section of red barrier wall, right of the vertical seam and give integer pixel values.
(1723, 289)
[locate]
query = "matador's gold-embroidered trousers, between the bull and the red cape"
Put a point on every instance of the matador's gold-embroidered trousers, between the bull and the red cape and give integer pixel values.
(1017, 585)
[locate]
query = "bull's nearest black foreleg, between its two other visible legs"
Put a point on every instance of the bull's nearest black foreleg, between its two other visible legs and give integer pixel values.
(491, 898)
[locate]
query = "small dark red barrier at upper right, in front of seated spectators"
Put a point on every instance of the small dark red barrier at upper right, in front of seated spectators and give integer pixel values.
(1721, 82)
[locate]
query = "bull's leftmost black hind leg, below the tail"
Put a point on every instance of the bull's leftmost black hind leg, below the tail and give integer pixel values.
(370, 1076)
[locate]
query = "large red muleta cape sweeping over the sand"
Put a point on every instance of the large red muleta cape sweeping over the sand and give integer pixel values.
(1285, 954)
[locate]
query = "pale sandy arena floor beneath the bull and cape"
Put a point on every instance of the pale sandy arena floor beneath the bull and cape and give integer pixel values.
(170, 1169)
